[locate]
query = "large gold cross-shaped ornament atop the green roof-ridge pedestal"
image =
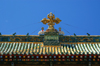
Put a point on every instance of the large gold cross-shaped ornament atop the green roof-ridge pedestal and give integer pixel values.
(51, 21)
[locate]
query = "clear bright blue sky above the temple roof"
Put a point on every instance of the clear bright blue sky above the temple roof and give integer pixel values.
(23, 16)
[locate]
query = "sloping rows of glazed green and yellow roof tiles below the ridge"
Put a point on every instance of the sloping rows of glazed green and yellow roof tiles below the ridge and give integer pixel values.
(32, 48)
